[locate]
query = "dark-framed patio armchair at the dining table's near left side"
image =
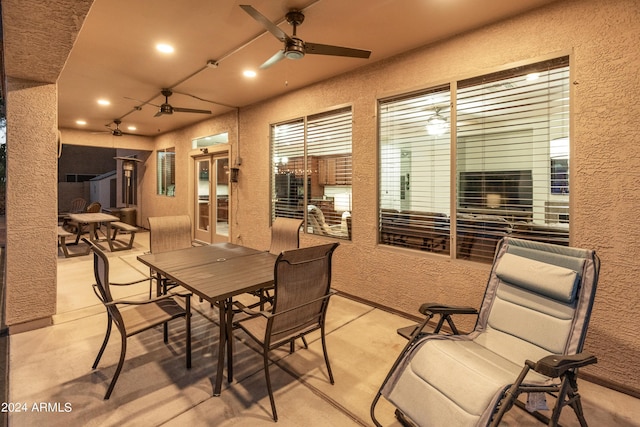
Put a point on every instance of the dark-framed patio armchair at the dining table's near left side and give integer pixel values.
(133, 317)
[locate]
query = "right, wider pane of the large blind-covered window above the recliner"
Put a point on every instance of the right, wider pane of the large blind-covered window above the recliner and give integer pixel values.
(507, 123)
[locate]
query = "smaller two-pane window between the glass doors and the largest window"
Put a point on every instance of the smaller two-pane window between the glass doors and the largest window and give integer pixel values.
(312, 172)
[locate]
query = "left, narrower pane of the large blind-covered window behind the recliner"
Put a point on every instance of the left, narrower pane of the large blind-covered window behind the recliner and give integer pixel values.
(415, 152)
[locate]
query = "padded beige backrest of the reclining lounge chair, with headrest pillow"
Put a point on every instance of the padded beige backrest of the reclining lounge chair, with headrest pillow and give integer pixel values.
(538, 300)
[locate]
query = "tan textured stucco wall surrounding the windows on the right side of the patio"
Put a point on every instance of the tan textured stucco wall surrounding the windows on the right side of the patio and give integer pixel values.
(600, 36)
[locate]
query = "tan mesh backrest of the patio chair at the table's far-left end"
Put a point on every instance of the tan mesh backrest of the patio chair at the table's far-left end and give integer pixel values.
(168, 233)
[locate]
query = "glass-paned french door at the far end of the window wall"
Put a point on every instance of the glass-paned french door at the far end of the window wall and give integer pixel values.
(212, 198)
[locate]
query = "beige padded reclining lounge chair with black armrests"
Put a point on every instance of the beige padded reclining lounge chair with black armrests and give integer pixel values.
(528, 338)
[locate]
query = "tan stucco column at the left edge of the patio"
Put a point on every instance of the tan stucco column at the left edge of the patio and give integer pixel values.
(31, 212)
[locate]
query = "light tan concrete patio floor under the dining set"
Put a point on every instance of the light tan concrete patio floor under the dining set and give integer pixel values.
(52, 366)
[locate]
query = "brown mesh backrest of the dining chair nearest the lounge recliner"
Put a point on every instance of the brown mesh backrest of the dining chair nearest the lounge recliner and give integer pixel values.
(302, 278)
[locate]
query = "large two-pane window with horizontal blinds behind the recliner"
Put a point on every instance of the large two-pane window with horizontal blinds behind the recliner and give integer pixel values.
(509, 153)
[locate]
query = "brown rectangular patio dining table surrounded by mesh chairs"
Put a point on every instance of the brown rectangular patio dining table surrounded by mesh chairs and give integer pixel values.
(216, 273)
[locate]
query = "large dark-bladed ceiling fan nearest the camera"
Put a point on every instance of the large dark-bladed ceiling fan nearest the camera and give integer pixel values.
(294, 47)
